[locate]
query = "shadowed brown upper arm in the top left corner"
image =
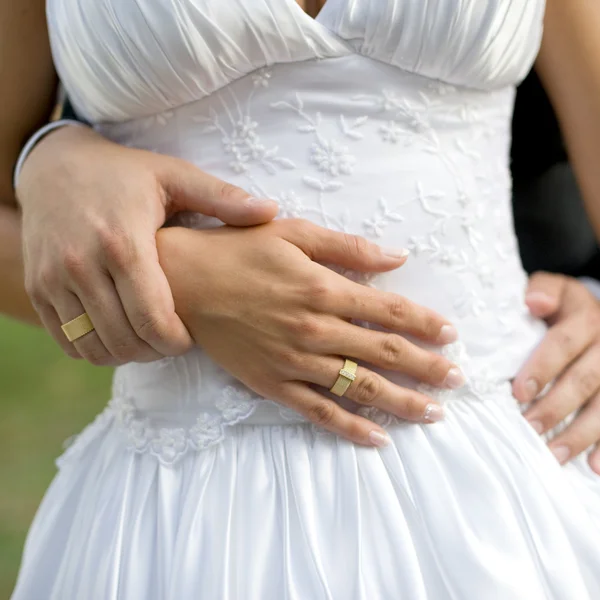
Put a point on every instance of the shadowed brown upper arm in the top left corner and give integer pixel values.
(28, 82)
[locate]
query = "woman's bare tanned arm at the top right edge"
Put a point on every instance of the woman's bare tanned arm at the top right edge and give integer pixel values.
(569, 66)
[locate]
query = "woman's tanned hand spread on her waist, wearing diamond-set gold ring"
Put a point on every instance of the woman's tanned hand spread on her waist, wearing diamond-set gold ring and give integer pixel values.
(257, 301)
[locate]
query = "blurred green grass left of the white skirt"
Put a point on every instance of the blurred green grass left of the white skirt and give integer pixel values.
(45, 398)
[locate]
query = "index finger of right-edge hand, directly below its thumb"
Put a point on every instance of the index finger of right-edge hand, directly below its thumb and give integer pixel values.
(562, 345)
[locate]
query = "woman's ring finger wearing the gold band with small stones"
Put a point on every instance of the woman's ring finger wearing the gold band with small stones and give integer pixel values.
(371, 389)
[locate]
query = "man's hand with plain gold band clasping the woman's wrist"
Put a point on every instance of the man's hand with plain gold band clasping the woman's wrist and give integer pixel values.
(91, 209)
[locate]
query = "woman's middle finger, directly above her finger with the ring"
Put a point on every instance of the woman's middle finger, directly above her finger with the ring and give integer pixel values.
(394, 353)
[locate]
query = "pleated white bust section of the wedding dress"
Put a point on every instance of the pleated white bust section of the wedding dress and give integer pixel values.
(123, 59)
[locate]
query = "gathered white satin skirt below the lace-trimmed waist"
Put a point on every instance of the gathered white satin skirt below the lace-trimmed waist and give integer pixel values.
(473, 508)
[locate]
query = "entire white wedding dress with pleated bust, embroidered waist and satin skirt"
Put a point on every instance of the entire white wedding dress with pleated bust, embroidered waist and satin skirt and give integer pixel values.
(385, 118)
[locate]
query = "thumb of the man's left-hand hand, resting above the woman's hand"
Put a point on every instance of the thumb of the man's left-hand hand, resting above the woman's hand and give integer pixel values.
(188, 188)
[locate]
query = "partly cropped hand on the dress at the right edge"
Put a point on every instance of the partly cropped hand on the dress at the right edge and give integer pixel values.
(570, 356)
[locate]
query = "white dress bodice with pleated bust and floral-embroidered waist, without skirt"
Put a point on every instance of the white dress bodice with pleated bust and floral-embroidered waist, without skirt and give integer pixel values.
(384, 118)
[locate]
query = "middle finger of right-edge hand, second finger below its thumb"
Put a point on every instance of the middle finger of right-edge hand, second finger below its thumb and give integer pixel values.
(575, 387)
